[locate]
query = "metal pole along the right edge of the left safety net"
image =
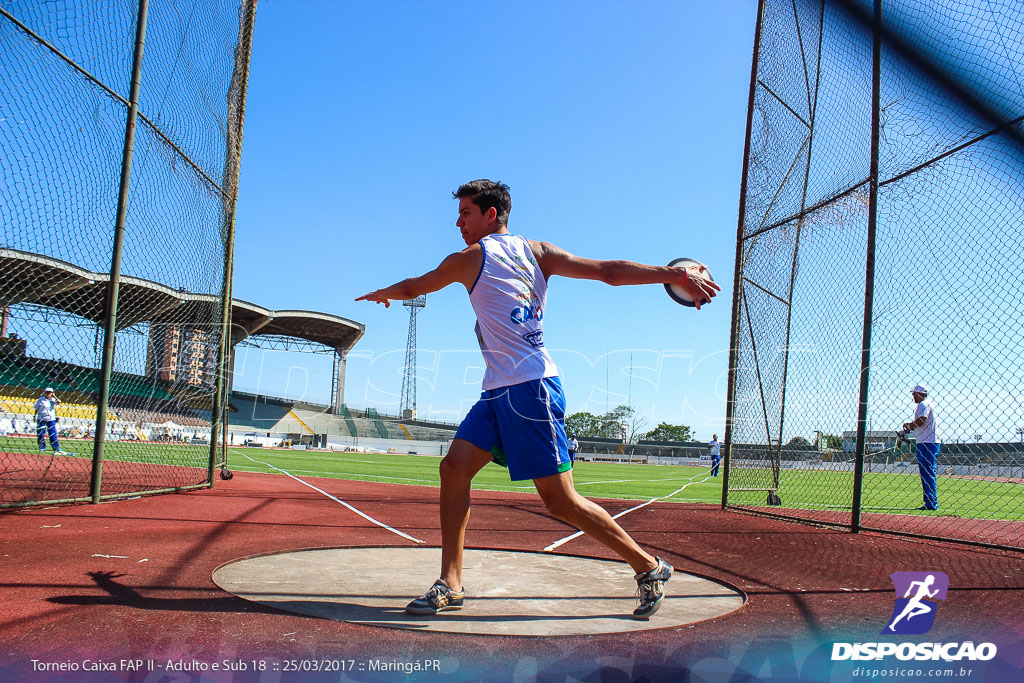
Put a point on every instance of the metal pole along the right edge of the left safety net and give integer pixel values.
(240, 83)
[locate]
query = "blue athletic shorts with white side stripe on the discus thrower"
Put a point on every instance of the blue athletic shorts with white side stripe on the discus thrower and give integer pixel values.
(523, 426)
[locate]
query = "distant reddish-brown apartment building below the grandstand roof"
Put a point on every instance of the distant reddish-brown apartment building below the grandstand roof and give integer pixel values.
(182, 354)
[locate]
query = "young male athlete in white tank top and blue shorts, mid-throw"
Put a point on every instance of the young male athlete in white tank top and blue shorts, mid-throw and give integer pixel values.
(520, 420)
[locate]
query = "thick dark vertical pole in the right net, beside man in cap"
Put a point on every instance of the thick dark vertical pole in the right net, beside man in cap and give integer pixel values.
(873, 206)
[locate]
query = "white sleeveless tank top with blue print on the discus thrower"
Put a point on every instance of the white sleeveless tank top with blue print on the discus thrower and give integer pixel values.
(509, 298)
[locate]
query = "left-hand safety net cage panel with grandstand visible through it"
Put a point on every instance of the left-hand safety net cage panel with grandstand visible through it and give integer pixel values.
(120, 140)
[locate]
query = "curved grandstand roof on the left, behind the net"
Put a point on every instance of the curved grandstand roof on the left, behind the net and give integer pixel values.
(50, 282)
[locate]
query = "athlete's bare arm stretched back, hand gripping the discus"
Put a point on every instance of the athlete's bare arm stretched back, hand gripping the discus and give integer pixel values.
(557, 262)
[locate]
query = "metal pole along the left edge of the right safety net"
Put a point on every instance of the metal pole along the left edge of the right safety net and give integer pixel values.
(738, 282)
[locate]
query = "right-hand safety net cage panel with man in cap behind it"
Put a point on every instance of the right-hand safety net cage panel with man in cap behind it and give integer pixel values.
(879, 249)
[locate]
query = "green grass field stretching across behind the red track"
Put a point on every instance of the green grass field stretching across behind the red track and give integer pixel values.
(821, 490)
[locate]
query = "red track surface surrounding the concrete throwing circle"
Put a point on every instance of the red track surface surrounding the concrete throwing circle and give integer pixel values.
(133, 579)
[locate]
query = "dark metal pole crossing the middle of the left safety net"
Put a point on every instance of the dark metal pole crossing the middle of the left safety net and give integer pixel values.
(111, 313)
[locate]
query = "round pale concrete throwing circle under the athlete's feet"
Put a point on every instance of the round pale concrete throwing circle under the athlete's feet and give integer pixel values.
(507, 593)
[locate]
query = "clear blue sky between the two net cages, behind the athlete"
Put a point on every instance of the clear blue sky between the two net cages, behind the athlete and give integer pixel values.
(620, 130)
